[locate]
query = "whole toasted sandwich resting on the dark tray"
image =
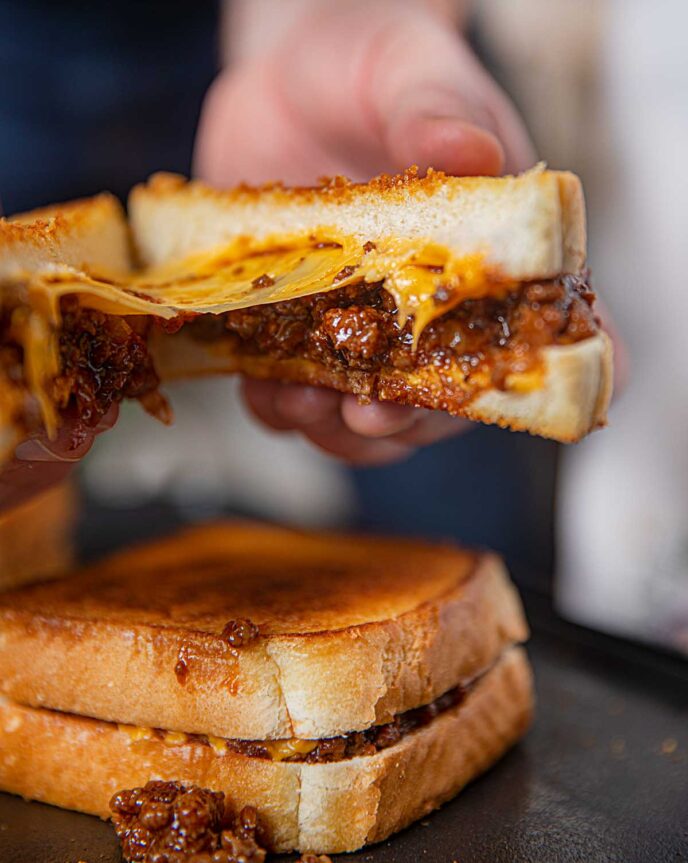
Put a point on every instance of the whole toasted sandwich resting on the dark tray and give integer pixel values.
(343, 686)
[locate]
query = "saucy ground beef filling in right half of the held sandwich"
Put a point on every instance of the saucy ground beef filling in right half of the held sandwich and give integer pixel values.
(356, 328)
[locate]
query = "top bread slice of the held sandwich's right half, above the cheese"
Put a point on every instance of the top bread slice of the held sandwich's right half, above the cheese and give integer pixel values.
(527, 227)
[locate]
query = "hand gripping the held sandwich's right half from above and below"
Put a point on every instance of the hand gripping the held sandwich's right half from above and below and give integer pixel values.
(355, 88)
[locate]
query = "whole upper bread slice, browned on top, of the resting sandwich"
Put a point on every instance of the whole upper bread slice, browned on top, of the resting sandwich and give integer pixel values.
(352, 631)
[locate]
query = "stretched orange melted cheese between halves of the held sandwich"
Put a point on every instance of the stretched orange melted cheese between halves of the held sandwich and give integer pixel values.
(426, 280)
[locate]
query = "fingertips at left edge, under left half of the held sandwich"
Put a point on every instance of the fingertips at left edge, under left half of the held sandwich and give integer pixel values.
(39, 463)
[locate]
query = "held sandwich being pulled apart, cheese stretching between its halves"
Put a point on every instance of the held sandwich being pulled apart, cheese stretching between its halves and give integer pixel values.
(464, 295)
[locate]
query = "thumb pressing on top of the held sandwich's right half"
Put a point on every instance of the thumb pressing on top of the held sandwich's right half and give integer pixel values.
(434, 105)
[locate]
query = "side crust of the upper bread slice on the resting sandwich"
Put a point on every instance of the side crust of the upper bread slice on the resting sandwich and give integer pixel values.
(316, 685)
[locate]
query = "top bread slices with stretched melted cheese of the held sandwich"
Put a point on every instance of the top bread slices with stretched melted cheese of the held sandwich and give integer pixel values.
(204, 250)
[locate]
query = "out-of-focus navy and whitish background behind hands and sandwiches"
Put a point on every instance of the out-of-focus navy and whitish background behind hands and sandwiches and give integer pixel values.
(98, 97)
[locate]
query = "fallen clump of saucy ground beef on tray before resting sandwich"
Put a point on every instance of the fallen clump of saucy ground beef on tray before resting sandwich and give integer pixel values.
(166, 822)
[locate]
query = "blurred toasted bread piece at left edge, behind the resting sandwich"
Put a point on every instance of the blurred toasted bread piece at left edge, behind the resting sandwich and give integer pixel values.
(36, 538)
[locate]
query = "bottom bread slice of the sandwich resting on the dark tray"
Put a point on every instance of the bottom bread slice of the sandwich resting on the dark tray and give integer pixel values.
(79, 763)
